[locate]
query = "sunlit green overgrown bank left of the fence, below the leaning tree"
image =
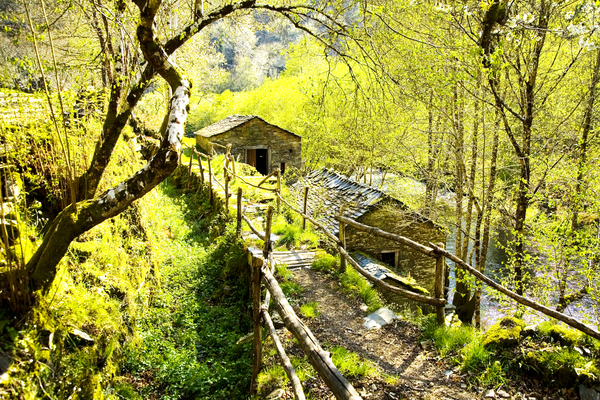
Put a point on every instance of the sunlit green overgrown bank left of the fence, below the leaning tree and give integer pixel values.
(164, 301)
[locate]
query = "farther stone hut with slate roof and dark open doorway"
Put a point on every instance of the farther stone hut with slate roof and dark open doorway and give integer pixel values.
(253, 141)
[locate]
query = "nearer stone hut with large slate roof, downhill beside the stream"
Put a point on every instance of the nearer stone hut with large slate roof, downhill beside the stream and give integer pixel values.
(330, 192)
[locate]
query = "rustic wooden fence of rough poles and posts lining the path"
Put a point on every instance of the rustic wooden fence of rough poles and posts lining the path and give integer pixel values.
(262, 270)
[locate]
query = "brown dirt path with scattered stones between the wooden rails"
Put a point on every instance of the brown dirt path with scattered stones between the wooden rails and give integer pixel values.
(394, 348)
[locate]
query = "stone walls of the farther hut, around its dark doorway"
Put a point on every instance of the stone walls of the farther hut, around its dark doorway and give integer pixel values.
(285, 147)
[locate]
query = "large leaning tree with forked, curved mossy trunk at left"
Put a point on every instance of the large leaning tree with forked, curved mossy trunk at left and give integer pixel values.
(88, 209)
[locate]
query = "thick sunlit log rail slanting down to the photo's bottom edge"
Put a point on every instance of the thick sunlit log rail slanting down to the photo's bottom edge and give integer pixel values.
(319, 358)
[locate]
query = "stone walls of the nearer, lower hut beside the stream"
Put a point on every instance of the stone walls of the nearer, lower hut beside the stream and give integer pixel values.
(390, 219)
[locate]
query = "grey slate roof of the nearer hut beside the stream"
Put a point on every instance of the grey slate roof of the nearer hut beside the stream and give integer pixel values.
(330, 191)
